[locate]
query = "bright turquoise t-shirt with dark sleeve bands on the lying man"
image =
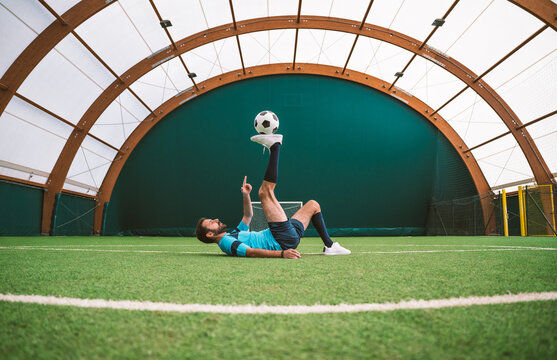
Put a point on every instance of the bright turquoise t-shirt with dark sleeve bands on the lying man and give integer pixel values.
(236, 242)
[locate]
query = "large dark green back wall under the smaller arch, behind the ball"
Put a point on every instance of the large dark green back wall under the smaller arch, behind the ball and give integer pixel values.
(372, 162)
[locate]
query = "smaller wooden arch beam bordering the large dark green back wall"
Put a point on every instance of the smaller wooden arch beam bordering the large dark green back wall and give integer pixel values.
(105, 191)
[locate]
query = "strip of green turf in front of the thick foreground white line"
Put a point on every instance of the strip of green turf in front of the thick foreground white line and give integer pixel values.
(527, 331)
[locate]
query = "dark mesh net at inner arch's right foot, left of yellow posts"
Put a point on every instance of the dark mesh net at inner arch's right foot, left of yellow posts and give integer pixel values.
(475, 215)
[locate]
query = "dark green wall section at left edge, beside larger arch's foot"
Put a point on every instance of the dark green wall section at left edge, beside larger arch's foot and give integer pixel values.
(20, 209)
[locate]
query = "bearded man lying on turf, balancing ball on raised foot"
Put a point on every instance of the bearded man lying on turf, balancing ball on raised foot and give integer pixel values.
(283, 235)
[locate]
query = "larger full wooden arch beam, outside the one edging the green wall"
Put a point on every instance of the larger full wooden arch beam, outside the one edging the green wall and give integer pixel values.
(56, 180)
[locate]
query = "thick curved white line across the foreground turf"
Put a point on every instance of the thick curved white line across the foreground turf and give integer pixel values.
(278, 309)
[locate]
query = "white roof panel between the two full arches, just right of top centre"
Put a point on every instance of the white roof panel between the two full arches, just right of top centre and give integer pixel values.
(324, 47)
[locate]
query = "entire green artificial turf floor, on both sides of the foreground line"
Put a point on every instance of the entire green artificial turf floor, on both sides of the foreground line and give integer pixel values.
(527, 330)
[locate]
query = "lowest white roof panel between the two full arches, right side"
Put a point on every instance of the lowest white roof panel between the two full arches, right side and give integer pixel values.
(502, 162)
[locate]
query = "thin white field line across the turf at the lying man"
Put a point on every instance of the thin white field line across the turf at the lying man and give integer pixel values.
(304, 253)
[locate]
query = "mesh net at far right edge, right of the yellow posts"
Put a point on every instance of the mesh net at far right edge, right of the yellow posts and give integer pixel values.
(539, 204)
